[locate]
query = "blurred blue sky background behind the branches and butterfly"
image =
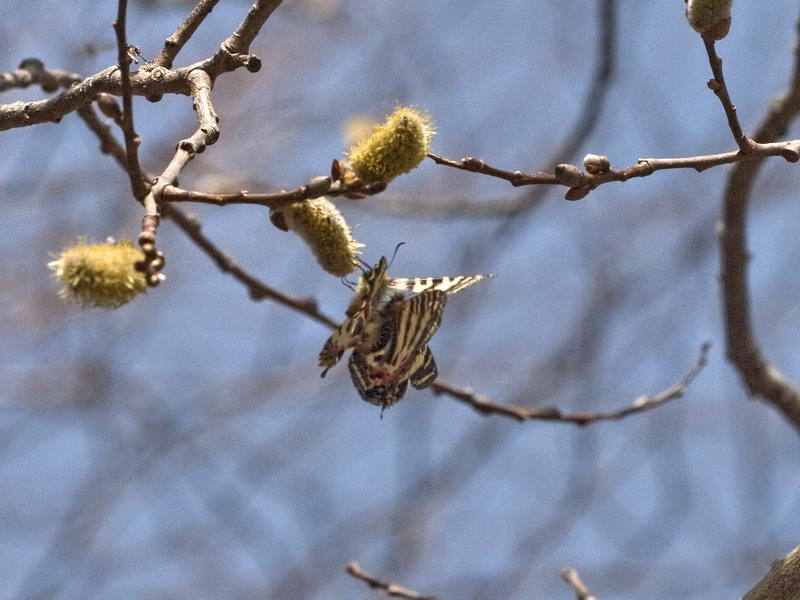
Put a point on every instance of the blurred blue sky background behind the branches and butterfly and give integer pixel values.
(185, 445)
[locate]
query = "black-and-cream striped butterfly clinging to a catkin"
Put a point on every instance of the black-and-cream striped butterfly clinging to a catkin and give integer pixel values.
(389, 332)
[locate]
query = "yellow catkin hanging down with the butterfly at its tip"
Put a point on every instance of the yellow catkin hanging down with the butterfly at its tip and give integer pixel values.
(324, 229)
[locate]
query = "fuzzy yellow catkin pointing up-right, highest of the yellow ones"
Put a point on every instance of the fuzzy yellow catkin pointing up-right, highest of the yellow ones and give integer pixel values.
(394, 148)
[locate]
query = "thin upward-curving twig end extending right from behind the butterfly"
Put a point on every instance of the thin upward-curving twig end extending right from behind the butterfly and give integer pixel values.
(485, 406)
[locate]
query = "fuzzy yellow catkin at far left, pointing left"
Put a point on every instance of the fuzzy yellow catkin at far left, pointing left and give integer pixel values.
(99, 275)
